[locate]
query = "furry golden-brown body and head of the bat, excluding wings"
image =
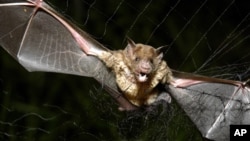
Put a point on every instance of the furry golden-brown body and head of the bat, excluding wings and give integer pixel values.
(138, 70)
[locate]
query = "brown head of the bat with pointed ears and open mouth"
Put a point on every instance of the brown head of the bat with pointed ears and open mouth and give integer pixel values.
(143, 60)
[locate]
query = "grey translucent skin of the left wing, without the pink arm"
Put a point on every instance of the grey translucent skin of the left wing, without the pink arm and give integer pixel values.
(41, 43)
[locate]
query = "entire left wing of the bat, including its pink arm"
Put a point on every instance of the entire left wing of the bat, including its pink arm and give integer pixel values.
(42, 40)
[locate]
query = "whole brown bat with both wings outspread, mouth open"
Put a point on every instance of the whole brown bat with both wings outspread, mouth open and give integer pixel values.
(212, 104)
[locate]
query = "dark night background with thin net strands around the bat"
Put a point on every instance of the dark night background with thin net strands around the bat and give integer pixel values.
(205, 37)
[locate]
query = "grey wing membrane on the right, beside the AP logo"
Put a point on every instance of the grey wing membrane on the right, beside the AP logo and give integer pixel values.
(214, 105)
